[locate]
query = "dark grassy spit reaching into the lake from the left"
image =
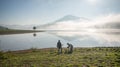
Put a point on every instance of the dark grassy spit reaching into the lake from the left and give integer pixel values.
(9, 31)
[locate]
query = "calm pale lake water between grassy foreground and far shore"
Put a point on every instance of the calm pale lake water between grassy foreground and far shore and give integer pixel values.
(81, 38)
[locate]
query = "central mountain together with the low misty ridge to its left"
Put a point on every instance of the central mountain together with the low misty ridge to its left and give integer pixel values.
(68, 22)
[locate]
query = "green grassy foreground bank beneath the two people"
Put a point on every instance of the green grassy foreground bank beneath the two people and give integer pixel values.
(93, 57)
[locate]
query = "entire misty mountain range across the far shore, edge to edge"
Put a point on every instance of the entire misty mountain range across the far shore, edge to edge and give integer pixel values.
(68, 22)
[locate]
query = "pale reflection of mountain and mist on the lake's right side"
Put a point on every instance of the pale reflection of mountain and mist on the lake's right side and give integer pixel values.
(89, 39)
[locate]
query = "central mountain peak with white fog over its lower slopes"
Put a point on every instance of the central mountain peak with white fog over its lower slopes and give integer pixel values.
(68, 22)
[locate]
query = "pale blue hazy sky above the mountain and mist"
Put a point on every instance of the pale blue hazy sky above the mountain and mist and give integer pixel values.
(45, 11)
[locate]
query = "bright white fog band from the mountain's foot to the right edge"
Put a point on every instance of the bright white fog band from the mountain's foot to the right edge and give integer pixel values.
(78, 25)
